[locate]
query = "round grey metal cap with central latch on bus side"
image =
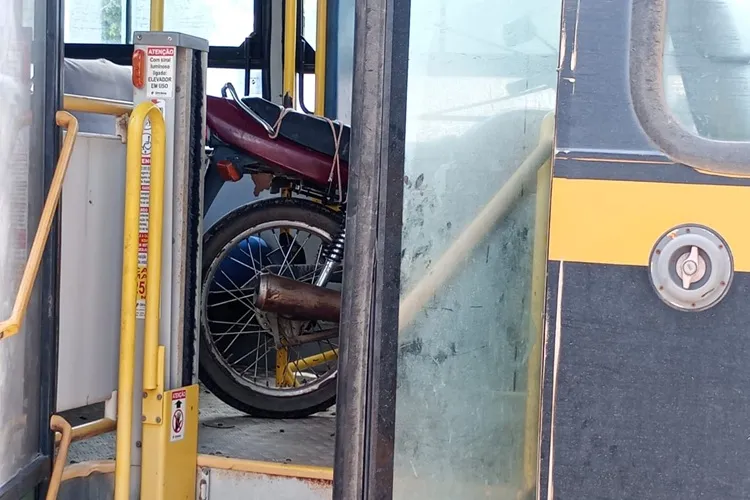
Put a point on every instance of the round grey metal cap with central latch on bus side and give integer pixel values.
(691, 268)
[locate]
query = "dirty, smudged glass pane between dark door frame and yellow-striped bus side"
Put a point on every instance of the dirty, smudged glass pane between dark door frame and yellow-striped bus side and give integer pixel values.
(482, 76)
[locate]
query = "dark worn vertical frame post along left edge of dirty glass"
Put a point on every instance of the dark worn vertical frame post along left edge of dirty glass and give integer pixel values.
(365, 409)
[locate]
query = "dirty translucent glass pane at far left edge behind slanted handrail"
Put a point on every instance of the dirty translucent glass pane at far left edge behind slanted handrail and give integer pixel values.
(23, 29)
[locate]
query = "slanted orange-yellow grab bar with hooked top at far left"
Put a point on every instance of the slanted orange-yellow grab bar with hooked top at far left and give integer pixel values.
(12, 325)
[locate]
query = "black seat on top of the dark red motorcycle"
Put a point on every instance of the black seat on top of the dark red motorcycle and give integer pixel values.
(307, 130)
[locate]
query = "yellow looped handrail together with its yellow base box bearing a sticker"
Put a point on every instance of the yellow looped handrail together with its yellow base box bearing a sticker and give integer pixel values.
(169, 417)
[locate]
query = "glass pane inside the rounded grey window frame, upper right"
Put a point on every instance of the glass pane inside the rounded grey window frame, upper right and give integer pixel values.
(707, 67)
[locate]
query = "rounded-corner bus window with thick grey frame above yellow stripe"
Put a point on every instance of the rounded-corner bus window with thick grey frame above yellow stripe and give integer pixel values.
(699, 115)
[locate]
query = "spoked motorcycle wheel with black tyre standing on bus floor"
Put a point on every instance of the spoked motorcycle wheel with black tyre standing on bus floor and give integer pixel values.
(240, 352)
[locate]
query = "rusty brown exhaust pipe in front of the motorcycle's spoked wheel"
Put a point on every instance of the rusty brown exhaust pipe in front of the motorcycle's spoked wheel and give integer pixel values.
(295, 300)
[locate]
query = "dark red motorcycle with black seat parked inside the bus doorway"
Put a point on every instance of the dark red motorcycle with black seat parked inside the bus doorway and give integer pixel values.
(263, 363)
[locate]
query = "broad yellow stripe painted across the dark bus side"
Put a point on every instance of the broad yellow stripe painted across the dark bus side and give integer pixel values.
(618, 222)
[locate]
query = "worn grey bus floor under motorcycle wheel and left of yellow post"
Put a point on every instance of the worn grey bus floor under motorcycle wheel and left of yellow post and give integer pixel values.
(227, 432)
